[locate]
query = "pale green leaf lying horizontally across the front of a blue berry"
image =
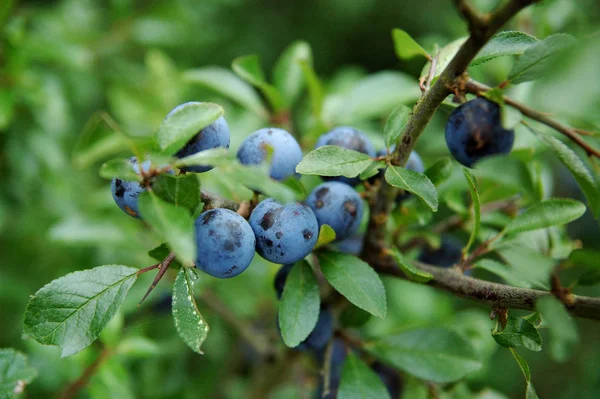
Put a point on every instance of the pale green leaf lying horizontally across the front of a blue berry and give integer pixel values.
(332, 160)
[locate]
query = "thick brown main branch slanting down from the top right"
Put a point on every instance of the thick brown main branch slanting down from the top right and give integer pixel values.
(424, 111)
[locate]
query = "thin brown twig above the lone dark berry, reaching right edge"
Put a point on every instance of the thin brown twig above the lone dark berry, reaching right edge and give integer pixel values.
(479, 89)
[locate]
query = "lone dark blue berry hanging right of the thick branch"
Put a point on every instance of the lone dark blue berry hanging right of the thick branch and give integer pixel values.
(474, 131)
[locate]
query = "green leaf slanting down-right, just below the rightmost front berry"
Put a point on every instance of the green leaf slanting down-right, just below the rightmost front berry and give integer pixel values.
(355, 280)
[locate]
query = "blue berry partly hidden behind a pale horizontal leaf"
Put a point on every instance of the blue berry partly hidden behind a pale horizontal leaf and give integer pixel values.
(350, 138)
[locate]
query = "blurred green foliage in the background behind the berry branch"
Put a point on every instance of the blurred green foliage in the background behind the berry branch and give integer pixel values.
(62, 61)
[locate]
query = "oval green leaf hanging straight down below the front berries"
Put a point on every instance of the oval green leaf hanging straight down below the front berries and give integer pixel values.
(300, 305)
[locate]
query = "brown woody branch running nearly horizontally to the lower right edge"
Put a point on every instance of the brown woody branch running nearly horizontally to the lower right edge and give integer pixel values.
(493, 294)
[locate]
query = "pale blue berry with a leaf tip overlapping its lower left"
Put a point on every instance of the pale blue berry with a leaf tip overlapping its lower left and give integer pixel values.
(286, 151)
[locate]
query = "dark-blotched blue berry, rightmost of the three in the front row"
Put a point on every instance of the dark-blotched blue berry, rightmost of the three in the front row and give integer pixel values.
(338, 205)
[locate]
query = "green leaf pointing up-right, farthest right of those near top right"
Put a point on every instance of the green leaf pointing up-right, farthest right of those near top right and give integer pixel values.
(539, 58)
